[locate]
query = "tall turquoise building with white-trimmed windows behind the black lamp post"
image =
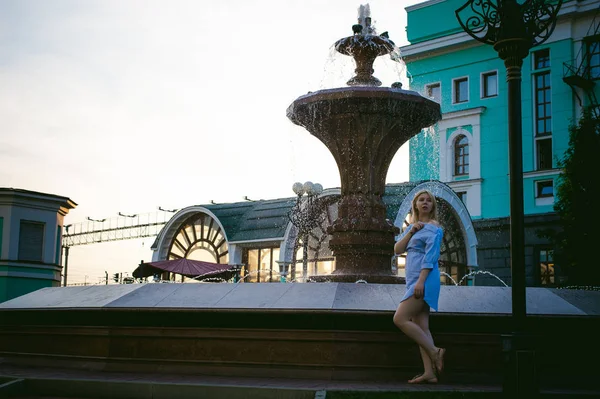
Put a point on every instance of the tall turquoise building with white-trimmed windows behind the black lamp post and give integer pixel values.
(468, 148)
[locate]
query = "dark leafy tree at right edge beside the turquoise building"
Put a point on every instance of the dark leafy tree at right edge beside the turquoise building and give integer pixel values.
(578, 197)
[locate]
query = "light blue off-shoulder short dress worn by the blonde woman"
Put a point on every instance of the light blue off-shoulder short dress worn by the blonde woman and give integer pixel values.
(423, 251)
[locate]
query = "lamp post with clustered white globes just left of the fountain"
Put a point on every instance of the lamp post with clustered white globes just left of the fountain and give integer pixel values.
(305, 216)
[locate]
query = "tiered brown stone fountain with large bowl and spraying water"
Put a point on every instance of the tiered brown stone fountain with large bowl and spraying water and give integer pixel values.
(363, 125)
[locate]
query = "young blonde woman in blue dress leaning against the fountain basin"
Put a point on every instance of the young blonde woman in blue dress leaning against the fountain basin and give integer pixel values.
(421, 240)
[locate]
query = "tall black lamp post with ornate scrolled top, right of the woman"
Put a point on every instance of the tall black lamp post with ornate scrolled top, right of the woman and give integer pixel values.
(513, 29)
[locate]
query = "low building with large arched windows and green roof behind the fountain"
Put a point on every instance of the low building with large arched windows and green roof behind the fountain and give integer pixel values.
(261, 237)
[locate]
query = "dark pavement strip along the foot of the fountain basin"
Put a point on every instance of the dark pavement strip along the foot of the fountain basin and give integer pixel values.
(47, 383)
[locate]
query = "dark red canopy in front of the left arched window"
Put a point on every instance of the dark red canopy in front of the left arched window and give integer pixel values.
(185, 267)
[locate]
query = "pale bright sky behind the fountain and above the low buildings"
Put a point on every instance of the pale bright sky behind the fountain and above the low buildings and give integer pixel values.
(128, 105)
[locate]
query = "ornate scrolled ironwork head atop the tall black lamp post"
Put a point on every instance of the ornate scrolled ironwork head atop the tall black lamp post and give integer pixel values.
(533, 21)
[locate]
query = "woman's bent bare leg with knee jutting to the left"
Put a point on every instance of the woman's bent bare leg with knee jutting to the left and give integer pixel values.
(406, 312)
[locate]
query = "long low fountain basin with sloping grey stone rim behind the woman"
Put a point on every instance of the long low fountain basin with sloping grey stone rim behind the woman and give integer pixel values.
(327, 331)
